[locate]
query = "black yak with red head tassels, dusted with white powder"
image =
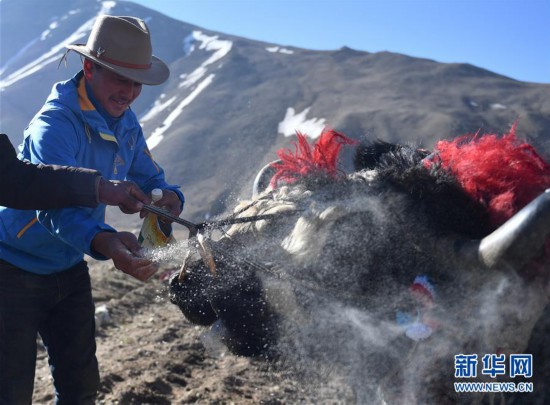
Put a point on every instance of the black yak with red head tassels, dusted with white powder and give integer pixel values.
(384, 275)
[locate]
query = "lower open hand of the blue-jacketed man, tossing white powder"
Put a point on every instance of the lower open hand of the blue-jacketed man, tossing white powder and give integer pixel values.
(125, 251)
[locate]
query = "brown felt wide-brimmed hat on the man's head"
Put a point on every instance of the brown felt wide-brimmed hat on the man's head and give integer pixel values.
(123, 45)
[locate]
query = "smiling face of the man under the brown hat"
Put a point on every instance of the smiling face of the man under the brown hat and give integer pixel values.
(113, 91)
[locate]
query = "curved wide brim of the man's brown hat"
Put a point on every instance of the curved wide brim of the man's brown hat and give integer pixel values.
(156, 74)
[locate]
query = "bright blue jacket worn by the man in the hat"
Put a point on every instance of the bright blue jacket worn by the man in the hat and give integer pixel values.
(68, 130)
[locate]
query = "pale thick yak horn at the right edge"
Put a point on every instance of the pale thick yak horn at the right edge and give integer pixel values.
(519, 239)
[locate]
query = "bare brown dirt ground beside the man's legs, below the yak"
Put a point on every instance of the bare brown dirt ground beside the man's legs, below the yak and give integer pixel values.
(149, 353)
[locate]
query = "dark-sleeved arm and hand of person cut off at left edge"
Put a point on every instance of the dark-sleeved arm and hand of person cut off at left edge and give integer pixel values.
(26, 186)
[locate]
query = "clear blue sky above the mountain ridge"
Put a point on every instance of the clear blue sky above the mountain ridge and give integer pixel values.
(509, 37)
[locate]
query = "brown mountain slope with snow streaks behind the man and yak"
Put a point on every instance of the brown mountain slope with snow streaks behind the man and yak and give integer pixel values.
(231, 102)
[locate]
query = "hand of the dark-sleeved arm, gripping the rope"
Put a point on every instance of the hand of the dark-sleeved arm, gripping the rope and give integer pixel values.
(126, 194)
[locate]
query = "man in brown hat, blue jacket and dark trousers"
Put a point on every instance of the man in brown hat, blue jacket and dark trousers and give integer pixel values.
(44, 281)
